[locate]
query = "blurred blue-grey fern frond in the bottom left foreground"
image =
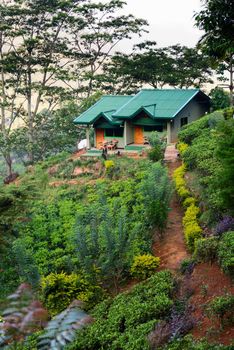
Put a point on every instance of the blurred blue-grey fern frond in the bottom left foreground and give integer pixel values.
(61, 330)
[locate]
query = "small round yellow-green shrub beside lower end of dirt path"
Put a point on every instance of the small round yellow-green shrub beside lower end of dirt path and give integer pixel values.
(144, 266)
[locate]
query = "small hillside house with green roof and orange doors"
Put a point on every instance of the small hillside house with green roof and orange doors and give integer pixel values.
(129, 119)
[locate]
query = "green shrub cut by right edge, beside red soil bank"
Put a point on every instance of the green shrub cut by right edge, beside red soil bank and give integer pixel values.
(226, 253)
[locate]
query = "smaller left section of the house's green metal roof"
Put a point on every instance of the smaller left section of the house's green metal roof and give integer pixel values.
(105, 107)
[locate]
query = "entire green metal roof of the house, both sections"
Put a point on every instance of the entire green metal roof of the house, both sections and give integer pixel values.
(156, 103)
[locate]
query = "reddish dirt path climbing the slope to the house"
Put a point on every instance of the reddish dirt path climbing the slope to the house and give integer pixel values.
(171, 249)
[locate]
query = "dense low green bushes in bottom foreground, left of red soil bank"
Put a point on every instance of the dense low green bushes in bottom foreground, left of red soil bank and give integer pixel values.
(125, 321)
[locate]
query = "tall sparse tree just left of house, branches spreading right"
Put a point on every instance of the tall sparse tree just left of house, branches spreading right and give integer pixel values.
(103, 31)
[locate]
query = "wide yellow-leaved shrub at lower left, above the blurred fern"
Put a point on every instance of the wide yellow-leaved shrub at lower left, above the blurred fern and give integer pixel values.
(59, 290)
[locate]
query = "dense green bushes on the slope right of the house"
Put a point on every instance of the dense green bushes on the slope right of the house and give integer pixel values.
(209, 156)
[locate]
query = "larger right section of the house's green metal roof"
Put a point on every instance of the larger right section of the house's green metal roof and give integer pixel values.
(165, 103)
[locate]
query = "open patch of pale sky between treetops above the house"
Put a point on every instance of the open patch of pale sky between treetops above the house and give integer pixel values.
(170, 21)
